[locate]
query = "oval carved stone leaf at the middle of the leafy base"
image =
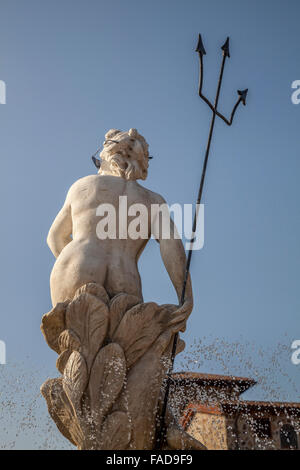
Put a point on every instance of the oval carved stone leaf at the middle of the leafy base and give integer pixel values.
(106, 379)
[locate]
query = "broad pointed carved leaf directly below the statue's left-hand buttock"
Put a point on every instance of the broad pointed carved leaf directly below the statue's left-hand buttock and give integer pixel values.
(87, 315)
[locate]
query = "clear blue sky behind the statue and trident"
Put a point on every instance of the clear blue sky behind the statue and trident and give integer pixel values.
(75, 69)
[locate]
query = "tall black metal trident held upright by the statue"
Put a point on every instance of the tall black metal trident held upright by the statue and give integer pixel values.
(242, 94)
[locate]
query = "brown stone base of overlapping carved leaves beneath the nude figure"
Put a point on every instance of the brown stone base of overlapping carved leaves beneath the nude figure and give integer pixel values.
(113, 357)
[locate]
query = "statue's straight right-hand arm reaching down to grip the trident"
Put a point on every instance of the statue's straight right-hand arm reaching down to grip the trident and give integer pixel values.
(174, 259)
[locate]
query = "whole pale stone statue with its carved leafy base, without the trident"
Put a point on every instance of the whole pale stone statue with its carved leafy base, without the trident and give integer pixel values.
(113, 348)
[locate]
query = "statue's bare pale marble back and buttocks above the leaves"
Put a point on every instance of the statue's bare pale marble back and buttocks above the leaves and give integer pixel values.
(101, 249)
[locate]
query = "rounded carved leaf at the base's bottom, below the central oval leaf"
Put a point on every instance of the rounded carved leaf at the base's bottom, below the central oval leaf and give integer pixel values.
(116, 432)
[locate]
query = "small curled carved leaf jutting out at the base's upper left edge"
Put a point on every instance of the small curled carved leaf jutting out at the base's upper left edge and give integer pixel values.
(53, 324)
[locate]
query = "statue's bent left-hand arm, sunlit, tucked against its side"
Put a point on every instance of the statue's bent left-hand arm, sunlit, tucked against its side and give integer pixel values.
(61, 230)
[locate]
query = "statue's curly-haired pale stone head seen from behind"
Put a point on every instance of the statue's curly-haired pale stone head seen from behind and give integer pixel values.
(125, 154)
